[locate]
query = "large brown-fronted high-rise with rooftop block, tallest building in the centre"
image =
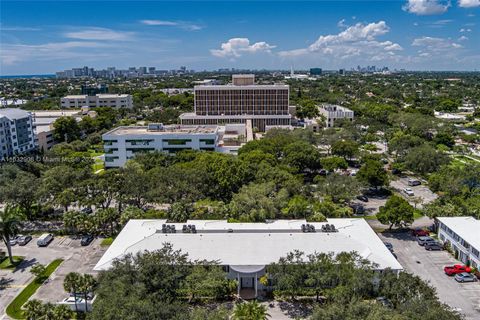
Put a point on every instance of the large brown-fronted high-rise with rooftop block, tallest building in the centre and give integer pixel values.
(242, 100)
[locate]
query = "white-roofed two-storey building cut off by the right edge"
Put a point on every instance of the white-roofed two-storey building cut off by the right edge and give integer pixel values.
(463, 235)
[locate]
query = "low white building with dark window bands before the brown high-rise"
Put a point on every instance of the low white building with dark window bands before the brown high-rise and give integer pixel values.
(123, 143)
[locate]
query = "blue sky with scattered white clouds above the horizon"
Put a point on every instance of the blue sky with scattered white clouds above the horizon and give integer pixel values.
(44, 37)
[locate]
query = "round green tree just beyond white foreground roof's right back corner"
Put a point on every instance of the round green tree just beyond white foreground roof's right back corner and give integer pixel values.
(397, 211)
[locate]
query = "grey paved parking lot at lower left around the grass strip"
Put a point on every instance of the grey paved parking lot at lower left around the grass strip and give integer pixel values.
(76, 258)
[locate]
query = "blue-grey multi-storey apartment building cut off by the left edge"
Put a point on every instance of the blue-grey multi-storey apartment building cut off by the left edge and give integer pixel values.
(16, 132)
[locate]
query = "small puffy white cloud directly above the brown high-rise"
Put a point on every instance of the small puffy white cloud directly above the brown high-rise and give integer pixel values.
(235, 47)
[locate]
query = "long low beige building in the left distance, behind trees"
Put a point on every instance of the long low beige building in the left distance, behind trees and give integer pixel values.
(99, 100)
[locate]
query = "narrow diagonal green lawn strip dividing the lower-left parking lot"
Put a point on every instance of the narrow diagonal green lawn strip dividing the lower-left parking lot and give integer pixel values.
(14, 309)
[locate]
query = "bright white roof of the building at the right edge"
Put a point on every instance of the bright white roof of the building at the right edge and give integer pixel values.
(467, 228)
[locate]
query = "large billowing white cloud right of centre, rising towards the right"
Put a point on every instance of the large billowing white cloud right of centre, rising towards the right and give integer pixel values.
(357, 40)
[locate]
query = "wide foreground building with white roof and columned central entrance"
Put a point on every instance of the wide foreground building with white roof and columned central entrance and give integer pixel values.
(245, 249)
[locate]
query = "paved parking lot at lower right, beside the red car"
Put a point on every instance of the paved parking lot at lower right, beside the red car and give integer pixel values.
(428, 265)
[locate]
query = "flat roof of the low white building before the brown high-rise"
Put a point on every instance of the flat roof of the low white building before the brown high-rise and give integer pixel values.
(143, 130)
